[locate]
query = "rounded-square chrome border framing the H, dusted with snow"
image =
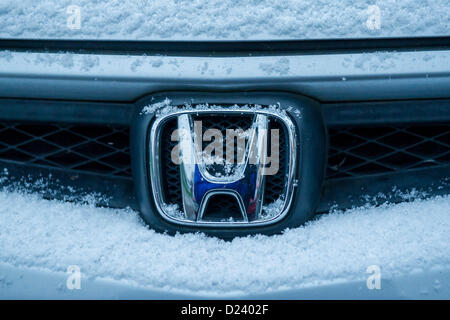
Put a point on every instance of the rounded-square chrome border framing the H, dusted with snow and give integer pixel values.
(154, 164)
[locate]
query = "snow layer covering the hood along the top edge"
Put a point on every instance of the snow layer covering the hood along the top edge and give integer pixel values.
(223, 19)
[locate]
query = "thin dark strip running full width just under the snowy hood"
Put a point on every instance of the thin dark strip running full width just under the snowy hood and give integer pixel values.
(228, 48)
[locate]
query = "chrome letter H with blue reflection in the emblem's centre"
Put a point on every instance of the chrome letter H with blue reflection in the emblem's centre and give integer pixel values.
(245, 184)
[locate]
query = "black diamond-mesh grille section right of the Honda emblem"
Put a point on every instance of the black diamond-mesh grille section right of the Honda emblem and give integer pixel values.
(372, 150)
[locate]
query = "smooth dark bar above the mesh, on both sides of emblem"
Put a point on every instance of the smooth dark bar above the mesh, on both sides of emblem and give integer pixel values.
(335, 114)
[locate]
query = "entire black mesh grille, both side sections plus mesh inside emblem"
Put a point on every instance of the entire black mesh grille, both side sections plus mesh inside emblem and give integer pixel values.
(104, 150)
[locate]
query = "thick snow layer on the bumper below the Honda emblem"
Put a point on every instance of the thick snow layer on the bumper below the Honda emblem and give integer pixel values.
(406, 238)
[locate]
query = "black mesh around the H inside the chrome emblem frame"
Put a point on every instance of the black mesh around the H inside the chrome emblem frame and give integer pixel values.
(275, 184)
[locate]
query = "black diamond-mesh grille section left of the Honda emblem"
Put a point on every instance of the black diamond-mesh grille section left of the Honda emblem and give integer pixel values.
(94, 149)
